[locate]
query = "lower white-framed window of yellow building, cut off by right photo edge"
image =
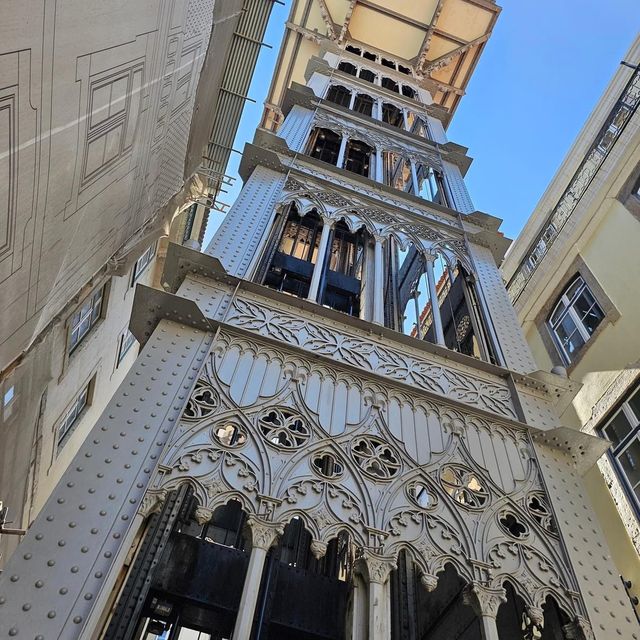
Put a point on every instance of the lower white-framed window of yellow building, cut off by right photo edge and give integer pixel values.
(623, 431)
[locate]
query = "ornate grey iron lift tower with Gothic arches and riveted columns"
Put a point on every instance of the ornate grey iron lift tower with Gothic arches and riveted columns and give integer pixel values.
(293, 454)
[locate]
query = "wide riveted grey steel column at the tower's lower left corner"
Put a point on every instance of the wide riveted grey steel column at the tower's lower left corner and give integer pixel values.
(55, 581)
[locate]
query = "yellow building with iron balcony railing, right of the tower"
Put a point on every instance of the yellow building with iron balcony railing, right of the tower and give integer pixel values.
(573, 277)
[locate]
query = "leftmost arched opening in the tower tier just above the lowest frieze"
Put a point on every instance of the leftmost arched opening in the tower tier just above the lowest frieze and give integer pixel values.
(291, 266)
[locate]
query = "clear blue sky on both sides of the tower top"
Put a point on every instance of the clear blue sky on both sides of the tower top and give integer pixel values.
(542, 72)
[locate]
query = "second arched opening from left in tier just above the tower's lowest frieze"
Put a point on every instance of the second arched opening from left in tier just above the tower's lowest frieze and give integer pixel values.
(343, 281)
